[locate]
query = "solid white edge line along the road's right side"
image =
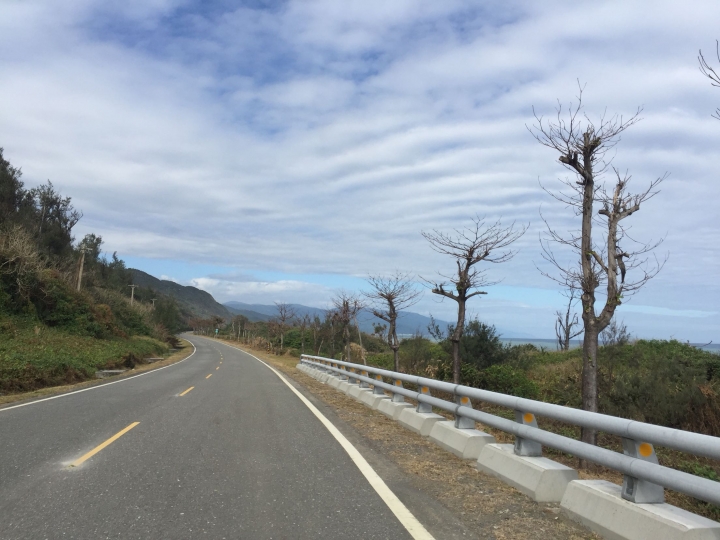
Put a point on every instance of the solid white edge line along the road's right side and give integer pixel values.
(406, 518)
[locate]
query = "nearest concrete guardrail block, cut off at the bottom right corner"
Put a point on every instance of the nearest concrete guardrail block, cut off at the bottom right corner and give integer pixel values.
(598, 505)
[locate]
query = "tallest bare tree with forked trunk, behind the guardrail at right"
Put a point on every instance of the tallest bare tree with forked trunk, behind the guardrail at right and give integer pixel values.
(583, 146)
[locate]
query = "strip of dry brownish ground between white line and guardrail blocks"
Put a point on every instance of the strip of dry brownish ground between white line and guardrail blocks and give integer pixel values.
(487, 507)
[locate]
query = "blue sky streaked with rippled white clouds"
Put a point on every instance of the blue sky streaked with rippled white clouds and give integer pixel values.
(280, 151)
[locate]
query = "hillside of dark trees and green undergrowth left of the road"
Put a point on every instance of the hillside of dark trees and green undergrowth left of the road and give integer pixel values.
(65, 309)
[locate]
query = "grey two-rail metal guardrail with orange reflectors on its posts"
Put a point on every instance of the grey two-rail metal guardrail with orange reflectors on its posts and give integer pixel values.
(644, 477)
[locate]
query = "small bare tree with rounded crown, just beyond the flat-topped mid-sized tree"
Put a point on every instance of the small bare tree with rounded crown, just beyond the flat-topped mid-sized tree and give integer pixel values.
(390, 296)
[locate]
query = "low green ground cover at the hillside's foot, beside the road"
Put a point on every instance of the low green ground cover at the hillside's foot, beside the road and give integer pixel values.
(41, 360)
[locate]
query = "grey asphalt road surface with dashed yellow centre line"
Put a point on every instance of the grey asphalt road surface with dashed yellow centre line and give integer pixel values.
(239, 457)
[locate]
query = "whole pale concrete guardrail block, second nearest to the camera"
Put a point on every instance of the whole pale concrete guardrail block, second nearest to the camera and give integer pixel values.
(541, 479)
